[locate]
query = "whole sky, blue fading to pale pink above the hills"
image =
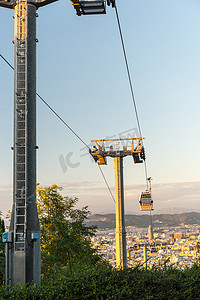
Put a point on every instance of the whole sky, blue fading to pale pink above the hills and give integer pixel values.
(81, 74)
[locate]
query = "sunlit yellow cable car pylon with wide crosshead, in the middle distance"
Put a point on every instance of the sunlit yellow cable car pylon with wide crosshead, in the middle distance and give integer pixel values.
(100, 151)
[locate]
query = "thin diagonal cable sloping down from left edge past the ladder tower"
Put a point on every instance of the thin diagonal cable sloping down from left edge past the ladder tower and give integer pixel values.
(57, 115)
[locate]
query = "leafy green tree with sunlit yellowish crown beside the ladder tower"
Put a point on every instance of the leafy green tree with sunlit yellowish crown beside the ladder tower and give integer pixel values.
(65, 240)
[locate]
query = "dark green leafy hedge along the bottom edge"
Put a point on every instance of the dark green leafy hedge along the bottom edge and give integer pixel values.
(103, 282)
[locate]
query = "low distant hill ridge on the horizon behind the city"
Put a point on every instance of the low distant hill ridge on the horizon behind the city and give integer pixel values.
(168, 220)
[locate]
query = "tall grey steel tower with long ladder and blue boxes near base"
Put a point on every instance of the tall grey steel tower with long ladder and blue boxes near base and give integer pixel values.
(23, 239)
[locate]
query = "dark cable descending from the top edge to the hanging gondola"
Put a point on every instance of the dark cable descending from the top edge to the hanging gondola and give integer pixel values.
(131, 85)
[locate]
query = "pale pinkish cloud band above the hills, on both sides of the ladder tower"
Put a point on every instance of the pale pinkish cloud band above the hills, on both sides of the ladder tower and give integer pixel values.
(168, 197)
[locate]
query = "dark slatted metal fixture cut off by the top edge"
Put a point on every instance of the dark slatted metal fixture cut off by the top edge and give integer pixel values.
(89, 7)
